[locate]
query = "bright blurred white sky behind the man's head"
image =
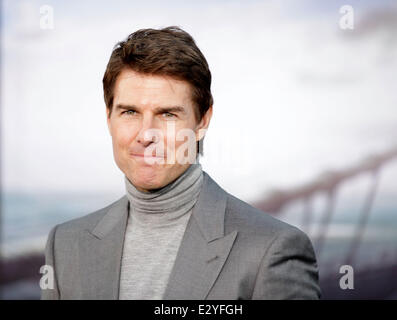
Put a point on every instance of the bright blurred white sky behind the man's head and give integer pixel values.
(294, 94)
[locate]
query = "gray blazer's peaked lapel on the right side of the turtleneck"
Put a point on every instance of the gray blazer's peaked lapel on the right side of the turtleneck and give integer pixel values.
(204, 247)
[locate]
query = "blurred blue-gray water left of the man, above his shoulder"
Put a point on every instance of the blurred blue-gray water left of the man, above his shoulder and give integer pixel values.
(27, 218)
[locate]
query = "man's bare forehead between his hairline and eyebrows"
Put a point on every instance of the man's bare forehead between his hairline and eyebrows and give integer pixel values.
(150, 90)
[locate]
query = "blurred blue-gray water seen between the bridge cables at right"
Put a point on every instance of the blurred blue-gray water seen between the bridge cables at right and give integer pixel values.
(378, 240)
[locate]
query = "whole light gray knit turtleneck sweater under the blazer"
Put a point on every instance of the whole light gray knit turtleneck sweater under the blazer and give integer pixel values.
(156, 223)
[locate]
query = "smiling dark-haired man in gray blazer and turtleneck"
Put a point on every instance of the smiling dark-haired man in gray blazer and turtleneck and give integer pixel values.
(176, 234)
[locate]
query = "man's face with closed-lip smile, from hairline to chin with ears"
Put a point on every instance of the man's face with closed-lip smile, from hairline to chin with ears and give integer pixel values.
(150, 103)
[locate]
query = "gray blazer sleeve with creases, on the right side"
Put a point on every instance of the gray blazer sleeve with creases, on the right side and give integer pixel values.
(288, 269)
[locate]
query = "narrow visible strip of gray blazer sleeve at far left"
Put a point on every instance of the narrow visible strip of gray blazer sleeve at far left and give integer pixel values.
(48, 293)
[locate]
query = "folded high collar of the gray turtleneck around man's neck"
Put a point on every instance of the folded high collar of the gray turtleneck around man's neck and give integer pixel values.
(165, 205)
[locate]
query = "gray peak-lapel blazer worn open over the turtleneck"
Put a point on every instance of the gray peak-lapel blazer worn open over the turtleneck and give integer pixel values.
(230, 250)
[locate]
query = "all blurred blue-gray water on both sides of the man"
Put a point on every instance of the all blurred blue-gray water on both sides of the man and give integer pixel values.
(27, 219)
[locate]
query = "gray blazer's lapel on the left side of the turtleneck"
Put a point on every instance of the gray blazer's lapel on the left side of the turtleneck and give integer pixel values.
(101, 251)
